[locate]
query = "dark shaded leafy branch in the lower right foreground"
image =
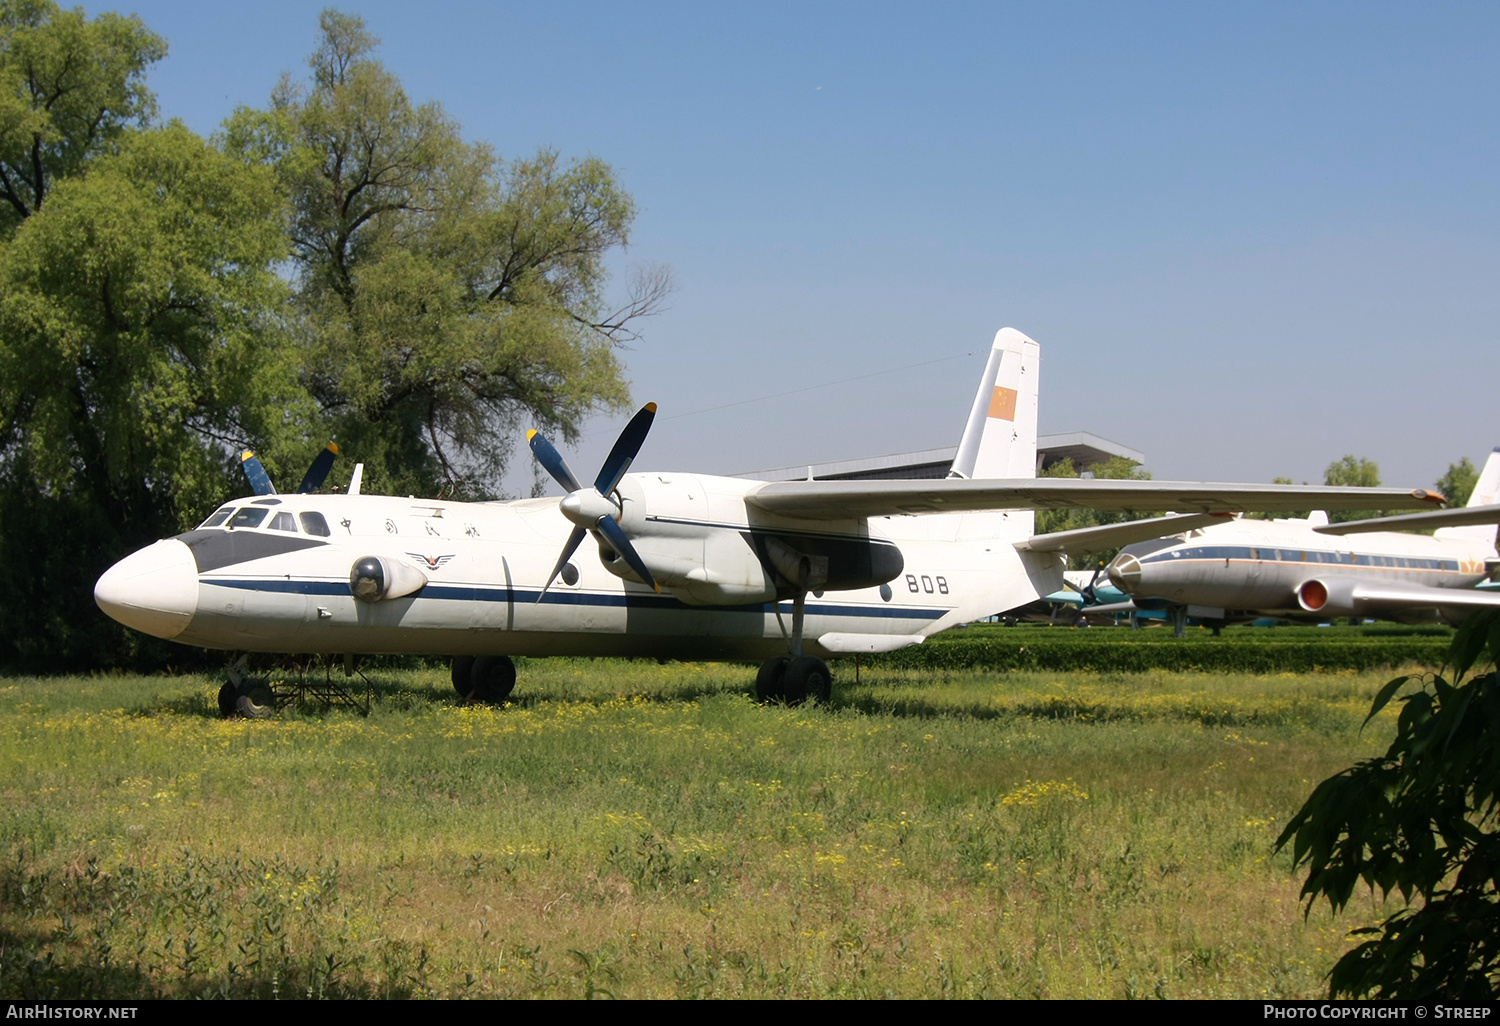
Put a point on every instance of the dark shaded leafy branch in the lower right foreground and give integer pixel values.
(1421, 821)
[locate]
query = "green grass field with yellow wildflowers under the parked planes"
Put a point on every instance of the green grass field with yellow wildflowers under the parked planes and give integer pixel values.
(637, 830)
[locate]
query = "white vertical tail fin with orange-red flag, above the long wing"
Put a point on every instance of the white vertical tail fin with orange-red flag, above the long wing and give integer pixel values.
(1000, 439)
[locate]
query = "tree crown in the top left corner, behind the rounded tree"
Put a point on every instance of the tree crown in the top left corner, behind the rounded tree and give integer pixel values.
(70, 89)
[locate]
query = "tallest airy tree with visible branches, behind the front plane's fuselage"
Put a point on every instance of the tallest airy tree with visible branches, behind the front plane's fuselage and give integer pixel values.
(448, 295)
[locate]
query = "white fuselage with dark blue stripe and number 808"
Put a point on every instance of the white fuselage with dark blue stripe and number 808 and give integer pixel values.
(274, 574)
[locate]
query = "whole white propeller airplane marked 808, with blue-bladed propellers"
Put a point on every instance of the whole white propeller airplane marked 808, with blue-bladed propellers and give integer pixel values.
(688, 566)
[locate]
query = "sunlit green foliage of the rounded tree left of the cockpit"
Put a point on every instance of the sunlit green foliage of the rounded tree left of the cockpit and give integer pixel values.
(137, 334)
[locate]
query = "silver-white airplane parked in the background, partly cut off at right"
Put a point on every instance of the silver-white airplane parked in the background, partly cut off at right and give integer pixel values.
(1306, 569)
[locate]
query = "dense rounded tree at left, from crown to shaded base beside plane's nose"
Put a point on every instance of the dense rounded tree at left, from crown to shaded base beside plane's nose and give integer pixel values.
(139, 350)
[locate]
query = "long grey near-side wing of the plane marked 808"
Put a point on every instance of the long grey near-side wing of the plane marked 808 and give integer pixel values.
(850, 500)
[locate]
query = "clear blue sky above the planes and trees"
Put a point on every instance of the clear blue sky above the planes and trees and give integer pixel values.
(1249, 239)
